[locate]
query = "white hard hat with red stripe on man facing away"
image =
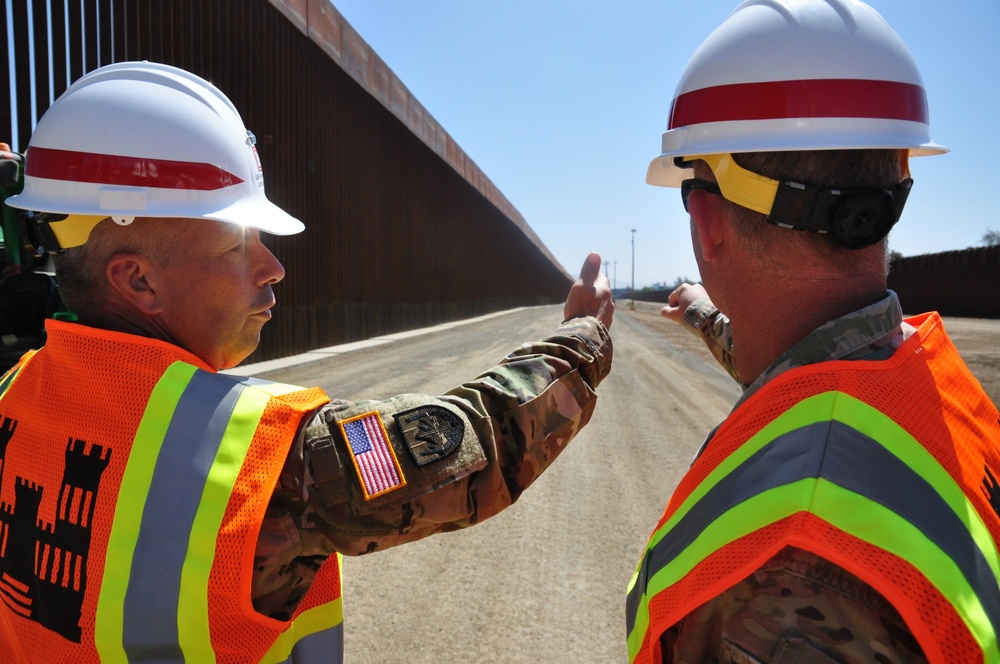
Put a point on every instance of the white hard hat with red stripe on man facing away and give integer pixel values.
(796, 75)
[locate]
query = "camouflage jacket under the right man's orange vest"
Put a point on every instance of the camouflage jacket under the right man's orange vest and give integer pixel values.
(798, 607)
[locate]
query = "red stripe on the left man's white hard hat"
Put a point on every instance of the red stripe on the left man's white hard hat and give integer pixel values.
(129, 171)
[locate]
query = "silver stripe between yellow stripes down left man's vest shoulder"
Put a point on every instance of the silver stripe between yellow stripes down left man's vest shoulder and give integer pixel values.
(189, 449)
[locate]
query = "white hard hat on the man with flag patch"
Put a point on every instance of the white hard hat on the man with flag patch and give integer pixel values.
(141, 139)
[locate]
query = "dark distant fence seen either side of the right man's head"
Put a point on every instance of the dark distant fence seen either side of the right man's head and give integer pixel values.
(954, 283)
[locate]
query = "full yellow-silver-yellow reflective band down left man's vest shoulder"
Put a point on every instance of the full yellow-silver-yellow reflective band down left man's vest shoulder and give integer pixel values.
(188, 451)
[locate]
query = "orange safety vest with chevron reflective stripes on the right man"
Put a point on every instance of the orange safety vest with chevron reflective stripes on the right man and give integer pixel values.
(887, 469)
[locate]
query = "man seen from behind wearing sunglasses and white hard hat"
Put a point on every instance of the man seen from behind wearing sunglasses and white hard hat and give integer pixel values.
(846, 510)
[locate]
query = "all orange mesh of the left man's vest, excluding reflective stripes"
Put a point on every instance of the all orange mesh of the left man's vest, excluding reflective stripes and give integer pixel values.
(95, 387)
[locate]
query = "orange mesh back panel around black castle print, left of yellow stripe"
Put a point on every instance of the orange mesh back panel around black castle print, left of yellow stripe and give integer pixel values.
(44, 400)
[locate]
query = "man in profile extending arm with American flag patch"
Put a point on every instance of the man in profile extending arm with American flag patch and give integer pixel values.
(166, 512)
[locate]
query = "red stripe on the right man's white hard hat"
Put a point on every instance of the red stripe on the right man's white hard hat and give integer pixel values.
(820, 98)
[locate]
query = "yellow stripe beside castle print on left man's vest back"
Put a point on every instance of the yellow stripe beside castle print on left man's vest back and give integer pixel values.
(138, 475)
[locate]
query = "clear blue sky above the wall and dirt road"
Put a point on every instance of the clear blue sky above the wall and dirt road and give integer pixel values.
(562, 103)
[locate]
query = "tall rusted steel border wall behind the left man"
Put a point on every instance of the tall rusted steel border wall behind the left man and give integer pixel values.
(402, 228)
